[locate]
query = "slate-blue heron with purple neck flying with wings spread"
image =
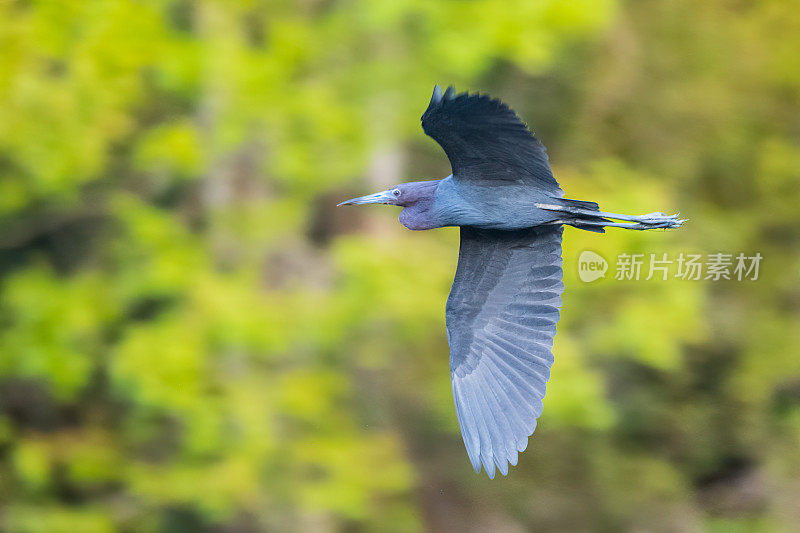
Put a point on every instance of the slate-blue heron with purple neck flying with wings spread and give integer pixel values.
(506, 297)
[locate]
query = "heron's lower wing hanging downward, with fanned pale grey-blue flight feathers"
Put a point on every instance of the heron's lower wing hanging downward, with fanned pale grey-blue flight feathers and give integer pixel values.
(501, 319)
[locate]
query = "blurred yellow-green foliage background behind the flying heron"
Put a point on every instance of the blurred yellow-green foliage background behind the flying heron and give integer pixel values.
(193, 338)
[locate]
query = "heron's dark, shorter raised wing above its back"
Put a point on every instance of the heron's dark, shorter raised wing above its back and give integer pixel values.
(485, 140)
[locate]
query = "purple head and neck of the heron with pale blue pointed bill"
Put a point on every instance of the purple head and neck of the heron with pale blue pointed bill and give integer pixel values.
(416, 198)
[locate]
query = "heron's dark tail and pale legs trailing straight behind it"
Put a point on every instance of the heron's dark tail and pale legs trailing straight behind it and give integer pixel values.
(587, 216)
